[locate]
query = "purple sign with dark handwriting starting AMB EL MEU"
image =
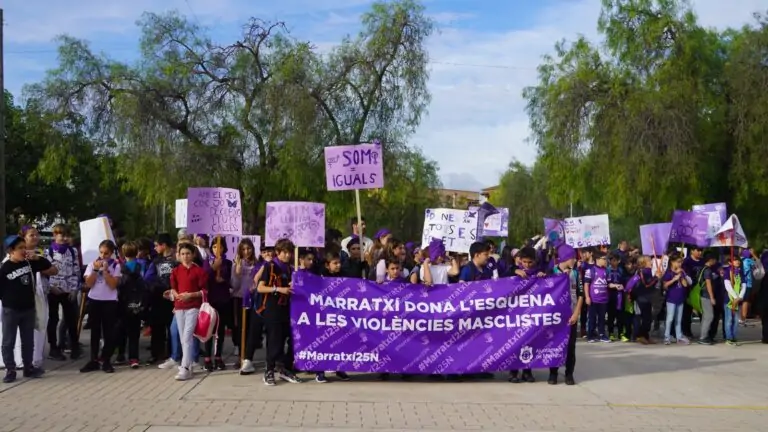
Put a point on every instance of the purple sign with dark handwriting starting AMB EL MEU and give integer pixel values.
(214, 211)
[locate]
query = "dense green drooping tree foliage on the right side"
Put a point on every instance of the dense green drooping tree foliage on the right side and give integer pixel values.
(665, 114)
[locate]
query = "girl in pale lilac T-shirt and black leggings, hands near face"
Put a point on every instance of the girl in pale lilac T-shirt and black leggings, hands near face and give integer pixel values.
(101, 279)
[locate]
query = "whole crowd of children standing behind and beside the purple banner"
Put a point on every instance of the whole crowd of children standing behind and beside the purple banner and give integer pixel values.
(160, 284)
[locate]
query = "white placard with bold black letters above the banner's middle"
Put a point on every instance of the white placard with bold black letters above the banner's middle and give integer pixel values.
(457, 228)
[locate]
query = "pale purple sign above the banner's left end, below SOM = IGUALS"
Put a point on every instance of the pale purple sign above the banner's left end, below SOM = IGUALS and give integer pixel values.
(301, 222)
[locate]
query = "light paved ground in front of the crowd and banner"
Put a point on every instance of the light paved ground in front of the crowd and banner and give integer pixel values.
(620, 387)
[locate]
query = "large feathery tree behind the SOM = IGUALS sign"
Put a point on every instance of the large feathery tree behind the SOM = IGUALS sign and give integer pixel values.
(253, 114)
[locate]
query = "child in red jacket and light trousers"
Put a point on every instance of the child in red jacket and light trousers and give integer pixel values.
(188, 284)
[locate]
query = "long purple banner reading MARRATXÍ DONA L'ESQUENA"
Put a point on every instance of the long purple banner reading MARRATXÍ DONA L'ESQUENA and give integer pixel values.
(354, 325)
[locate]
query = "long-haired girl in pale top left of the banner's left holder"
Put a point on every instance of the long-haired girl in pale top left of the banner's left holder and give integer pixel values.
(242, 285)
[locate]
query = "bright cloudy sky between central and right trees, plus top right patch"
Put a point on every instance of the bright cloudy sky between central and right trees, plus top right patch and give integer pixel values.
(477, 122)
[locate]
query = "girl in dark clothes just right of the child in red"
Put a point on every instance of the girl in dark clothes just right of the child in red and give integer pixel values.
(219, 276)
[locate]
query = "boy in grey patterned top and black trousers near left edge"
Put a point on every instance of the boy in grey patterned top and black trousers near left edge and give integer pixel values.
(63, 287)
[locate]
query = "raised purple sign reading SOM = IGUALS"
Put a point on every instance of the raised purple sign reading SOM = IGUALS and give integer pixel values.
(353, 167)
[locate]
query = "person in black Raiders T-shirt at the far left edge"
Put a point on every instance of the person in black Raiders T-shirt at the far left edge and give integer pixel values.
(17, 292)
